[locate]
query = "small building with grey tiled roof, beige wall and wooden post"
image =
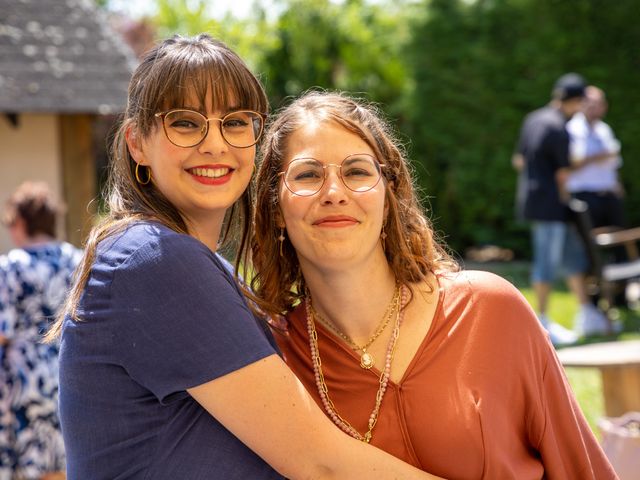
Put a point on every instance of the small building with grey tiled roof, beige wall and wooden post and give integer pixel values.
(61, 69)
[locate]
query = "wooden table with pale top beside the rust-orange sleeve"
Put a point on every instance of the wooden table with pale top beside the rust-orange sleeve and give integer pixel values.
(619, 364)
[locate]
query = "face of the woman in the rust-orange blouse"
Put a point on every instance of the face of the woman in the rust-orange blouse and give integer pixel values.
(335, 227)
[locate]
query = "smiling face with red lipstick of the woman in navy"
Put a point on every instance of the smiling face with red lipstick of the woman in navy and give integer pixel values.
(202, 181)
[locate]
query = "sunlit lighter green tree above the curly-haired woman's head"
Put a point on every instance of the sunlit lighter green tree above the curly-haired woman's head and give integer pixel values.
(353, 46)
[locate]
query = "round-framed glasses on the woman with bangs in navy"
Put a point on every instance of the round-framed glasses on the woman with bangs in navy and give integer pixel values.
(187, 128)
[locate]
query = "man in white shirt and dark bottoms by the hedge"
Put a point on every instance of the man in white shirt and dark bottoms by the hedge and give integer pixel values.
(595, 160)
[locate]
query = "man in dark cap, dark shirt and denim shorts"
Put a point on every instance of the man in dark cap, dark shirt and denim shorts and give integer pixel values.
(543, 155)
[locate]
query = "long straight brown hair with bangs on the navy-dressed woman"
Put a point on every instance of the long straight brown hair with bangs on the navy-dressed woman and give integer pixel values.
(170, 74)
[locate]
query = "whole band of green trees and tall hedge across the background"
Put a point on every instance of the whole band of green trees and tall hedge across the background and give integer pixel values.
(456, 76)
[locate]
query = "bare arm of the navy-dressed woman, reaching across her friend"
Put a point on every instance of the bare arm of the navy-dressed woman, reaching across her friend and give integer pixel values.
(268, 409)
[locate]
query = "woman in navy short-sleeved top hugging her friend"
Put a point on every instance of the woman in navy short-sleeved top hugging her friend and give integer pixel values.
(164, 371)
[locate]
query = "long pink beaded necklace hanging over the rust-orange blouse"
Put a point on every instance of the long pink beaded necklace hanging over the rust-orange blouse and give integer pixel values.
(397, 307)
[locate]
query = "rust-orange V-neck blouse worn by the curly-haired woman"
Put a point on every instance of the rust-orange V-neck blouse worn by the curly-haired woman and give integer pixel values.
(484, 397)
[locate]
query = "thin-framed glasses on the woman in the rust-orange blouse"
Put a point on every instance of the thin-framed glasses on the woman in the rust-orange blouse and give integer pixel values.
(359, 172)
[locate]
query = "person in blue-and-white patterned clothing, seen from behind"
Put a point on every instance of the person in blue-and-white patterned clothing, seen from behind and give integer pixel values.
(34, 278)
